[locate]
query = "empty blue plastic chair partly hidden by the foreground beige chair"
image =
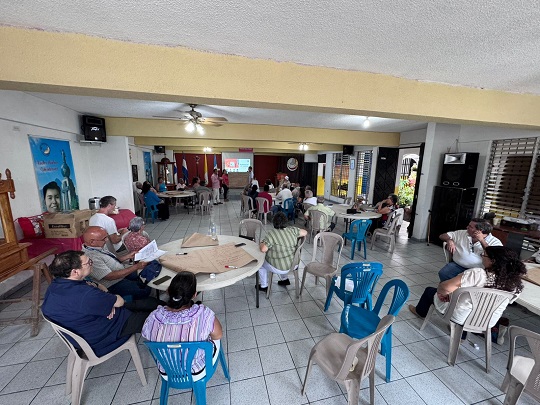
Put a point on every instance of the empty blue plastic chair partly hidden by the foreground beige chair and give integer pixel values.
(359, 322)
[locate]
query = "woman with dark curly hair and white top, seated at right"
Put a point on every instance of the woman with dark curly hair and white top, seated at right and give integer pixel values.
(502, 270)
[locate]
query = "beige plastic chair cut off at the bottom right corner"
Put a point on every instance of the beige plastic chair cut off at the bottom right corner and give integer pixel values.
(522, 373)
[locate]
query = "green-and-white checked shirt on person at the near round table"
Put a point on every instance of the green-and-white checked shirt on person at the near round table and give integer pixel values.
(281, 245)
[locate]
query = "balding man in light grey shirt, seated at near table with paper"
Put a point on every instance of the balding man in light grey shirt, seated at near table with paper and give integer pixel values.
(109, 270)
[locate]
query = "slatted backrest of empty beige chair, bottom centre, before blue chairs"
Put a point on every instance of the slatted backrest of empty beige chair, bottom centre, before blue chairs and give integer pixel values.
(373, 341)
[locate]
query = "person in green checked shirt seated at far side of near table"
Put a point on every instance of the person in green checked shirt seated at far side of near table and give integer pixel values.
(279, 244)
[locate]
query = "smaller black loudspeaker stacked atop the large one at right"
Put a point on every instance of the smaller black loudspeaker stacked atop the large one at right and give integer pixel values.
(459, 169)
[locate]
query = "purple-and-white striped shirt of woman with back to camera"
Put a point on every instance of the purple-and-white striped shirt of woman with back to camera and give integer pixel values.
(189, 325)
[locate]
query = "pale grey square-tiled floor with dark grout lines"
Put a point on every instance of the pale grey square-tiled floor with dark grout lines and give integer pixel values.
(267, 348)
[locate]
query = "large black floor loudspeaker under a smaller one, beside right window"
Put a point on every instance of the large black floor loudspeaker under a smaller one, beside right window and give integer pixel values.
(452, 209)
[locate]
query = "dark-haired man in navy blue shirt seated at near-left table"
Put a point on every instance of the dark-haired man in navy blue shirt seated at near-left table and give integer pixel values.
(98, 316)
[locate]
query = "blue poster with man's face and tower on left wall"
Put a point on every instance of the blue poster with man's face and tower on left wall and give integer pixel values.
(55, 174)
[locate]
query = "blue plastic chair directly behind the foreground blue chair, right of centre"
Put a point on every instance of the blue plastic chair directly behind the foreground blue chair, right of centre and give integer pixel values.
(364, 276)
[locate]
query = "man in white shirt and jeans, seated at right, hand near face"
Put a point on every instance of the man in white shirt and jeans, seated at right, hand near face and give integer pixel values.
(467, 247)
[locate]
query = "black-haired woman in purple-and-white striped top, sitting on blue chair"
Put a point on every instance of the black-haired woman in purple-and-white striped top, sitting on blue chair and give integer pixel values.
(181, 320)
